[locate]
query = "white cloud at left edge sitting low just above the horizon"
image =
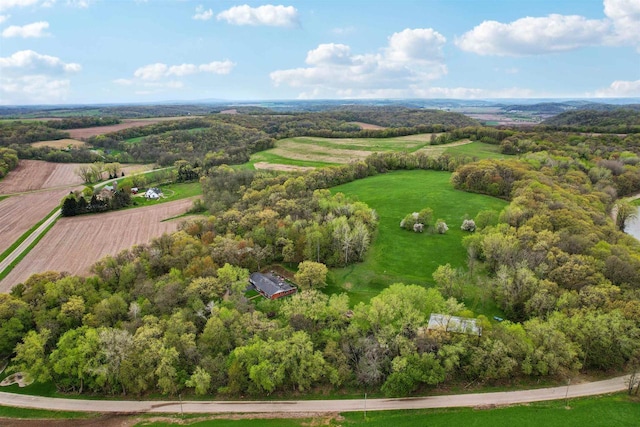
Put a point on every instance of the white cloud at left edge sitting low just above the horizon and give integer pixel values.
(28, 77)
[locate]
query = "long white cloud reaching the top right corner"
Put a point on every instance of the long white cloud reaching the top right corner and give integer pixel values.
(556, 33)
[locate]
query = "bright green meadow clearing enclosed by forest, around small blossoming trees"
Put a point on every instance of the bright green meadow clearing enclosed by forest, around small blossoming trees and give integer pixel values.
(398, 255)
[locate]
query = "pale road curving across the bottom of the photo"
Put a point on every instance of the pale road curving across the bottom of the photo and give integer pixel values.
(316, 406)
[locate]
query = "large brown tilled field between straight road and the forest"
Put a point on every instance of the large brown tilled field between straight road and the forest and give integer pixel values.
(75, 244)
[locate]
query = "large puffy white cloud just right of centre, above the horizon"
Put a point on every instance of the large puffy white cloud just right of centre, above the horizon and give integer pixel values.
(412, 58)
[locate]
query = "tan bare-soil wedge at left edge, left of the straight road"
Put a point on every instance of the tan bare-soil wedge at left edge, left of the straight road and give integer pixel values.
(19, 213)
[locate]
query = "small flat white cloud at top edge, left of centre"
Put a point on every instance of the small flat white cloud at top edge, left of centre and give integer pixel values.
(270, 15)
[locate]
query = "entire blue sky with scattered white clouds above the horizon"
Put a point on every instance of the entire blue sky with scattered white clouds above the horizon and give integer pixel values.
(133, 51)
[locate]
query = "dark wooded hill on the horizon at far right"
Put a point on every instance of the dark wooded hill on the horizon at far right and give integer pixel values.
(621, 120)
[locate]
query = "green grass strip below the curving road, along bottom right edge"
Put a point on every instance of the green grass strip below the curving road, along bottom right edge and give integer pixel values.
(616, 410)
